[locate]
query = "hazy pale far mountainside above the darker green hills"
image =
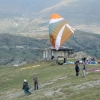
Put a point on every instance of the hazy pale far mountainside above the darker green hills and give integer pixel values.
(31, 17)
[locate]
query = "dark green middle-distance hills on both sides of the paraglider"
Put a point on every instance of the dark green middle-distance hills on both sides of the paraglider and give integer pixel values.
(18, 49)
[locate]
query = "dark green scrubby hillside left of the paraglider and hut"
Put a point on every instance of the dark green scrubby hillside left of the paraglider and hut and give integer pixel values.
(18, 49)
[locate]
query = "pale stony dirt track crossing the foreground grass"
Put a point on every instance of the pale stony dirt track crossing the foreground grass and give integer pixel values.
(51, 91)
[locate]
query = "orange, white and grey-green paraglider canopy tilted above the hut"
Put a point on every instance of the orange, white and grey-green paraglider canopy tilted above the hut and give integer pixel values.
(59, 30)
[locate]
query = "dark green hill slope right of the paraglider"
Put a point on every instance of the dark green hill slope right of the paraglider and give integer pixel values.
(87, 42)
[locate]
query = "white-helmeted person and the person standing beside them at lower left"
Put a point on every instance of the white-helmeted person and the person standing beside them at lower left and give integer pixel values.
(26, 87)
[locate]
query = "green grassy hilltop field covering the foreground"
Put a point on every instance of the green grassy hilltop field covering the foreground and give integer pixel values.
(56, 82)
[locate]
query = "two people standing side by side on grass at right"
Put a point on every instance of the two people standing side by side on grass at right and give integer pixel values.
(77, 69)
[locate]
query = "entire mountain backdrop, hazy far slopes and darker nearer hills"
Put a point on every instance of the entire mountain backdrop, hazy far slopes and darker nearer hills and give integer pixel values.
(31, 18)
